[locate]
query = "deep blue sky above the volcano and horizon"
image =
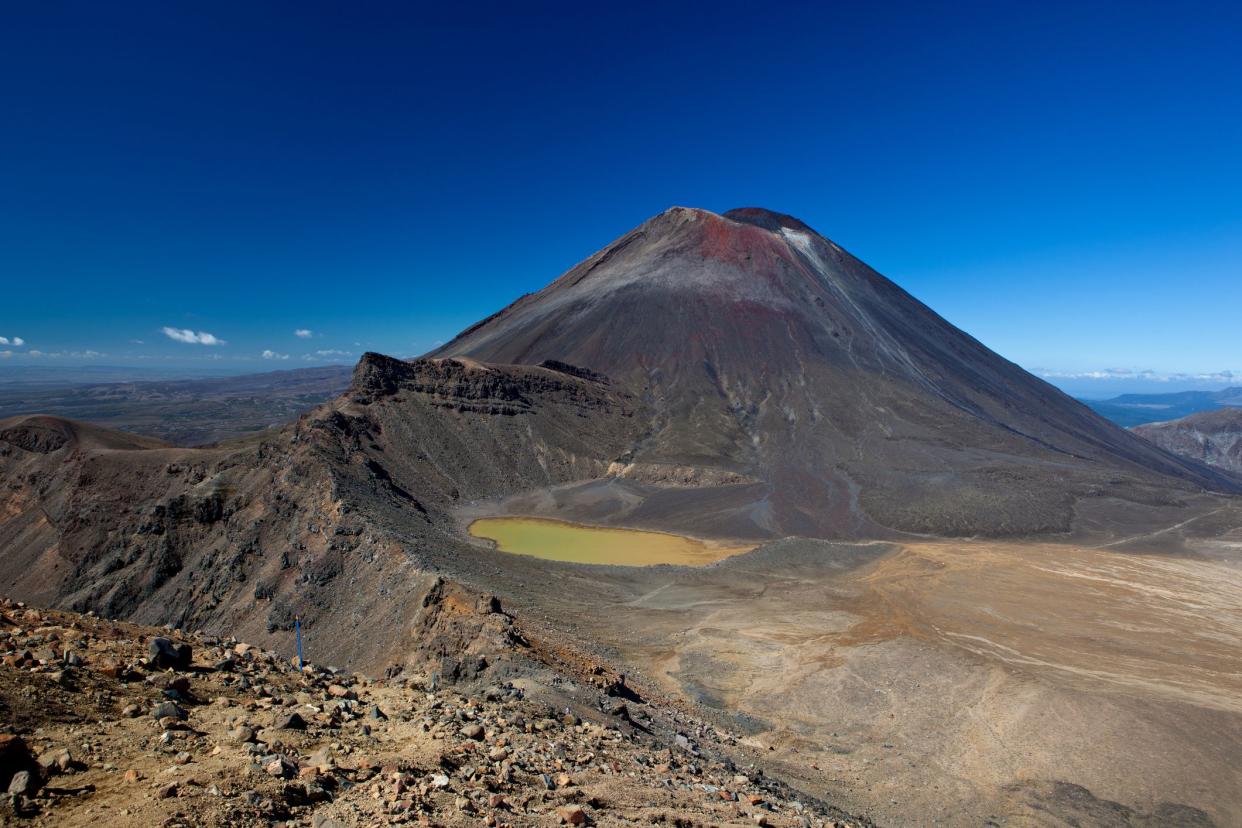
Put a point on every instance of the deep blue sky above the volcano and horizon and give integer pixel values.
(1061, 181)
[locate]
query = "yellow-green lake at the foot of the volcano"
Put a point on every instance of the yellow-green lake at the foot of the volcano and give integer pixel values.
(558, 541)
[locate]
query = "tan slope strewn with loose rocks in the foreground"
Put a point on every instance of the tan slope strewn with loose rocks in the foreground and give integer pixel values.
(239, 737)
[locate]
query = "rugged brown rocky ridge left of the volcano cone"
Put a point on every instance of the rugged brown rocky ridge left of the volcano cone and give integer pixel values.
(337, 518)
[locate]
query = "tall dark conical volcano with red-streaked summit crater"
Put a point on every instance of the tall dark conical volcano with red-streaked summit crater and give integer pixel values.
(814, 395)
